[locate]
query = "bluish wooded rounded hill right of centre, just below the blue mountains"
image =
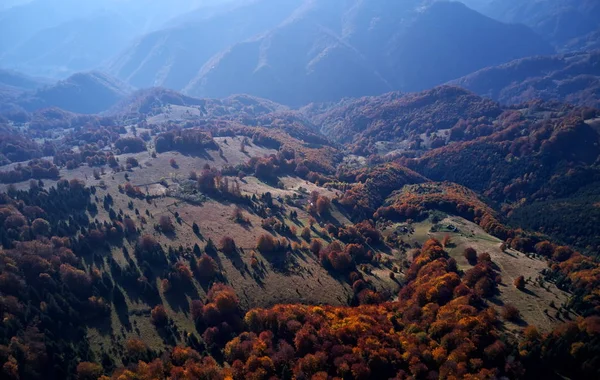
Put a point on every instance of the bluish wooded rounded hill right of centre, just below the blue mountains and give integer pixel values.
(397, 117)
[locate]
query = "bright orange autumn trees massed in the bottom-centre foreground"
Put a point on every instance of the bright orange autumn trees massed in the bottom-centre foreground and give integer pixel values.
(437, 328)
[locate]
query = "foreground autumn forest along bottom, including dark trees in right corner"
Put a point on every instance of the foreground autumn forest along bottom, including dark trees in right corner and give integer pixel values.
(439, 328)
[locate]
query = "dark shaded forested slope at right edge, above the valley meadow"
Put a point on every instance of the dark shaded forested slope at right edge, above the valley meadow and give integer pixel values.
(555, 158)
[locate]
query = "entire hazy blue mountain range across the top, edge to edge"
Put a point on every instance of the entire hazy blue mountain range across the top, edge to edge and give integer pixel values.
(299, 51)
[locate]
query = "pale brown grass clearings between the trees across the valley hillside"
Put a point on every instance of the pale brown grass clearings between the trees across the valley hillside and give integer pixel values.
(302, 279)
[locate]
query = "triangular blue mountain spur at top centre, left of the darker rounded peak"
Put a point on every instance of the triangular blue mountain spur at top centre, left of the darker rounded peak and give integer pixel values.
(300, 61)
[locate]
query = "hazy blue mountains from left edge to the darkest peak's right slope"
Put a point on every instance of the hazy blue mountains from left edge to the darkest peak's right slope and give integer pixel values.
(296, 52)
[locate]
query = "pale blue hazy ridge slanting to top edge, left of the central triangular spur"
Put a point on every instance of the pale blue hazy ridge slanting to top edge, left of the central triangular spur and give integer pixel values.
(173, 56)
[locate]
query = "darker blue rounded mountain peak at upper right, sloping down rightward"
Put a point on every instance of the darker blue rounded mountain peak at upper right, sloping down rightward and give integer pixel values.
(448, 40)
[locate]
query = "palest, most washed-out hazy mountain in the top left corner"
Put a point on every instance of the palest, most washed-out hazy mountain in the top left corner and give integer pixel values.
(59, 37)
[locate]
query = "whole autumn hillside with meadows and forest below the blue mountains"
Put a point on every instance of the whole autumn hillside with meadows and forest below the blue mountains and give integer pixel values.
(177, 237)
